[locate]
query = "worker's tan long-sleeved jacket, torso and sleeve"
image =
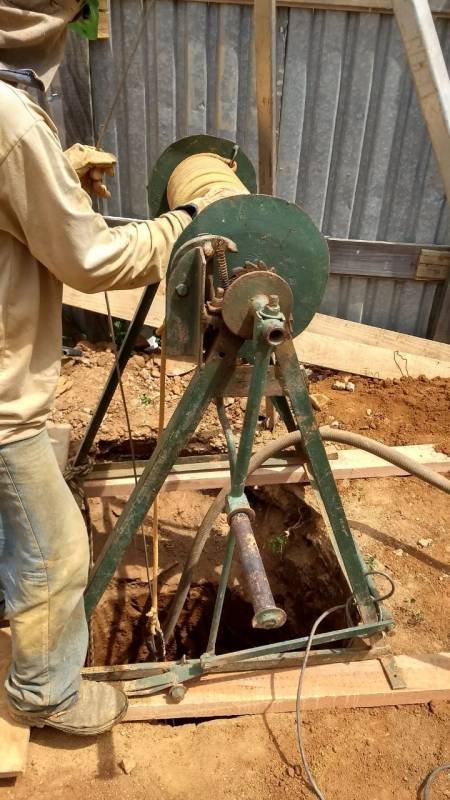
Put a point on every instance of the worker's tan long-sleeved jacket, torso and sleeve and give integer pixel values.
(49, 235)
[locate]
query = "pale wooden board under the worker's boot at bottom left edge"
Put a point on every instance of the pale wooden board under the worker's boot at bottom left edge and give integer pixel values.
(13, 738)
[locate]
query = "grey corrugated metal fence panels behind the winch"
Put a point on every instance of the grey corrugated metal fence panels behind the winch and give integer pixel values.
(352, 145)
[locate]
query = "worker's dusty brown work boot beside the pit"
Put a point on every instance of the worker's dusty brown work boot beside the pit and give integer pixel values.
(98, 708)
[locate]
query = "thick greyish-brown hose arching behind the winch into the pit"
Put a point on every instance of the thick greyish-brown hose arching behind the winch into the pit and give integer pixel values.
(328, 434)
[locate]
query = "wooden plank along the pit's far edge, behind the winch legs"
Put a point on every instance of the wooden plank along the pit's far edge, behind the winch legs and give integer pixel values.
(119, 481)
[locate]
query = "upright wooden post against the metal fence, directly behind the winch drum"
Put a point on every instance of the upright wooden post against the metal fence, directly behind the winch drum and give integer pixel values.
(264, 26)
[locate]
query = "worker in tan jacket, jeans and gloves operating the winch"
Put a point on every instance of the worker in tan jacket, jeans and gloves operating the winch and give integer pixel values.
(50, 235)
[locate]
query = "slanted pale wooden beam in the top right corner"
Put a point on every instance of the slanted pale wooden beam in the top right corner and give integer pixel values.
(430, 75)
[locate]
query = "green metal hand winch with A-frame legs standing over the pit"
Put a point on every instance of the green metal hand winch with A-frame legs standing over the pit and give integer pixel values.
(245, 277)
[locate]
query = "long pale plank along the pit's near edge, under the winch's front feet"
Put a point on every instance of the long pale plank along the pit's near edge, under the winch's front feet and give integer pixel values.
(361, 684)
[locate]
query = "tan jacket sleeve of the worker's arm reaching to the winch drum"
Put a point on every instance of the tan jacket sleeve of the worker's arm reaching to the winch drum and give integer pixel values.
(44, 206)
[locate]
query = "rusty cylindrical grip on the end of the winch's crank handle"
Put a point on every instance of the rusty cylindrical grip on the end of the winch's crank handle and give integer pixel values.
(266, 615)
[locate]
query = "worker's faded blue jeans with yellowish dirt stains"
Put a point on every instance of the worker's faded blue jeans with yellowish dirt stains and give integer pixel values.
(44, 561)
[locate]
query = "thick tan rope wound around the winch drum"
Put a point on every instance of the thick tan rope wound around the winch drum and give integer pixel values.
(202, 179)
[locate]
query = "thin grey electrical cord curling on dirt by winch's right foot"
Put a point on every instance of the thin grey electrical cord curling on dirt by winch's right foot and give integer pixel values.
(298, 714)
